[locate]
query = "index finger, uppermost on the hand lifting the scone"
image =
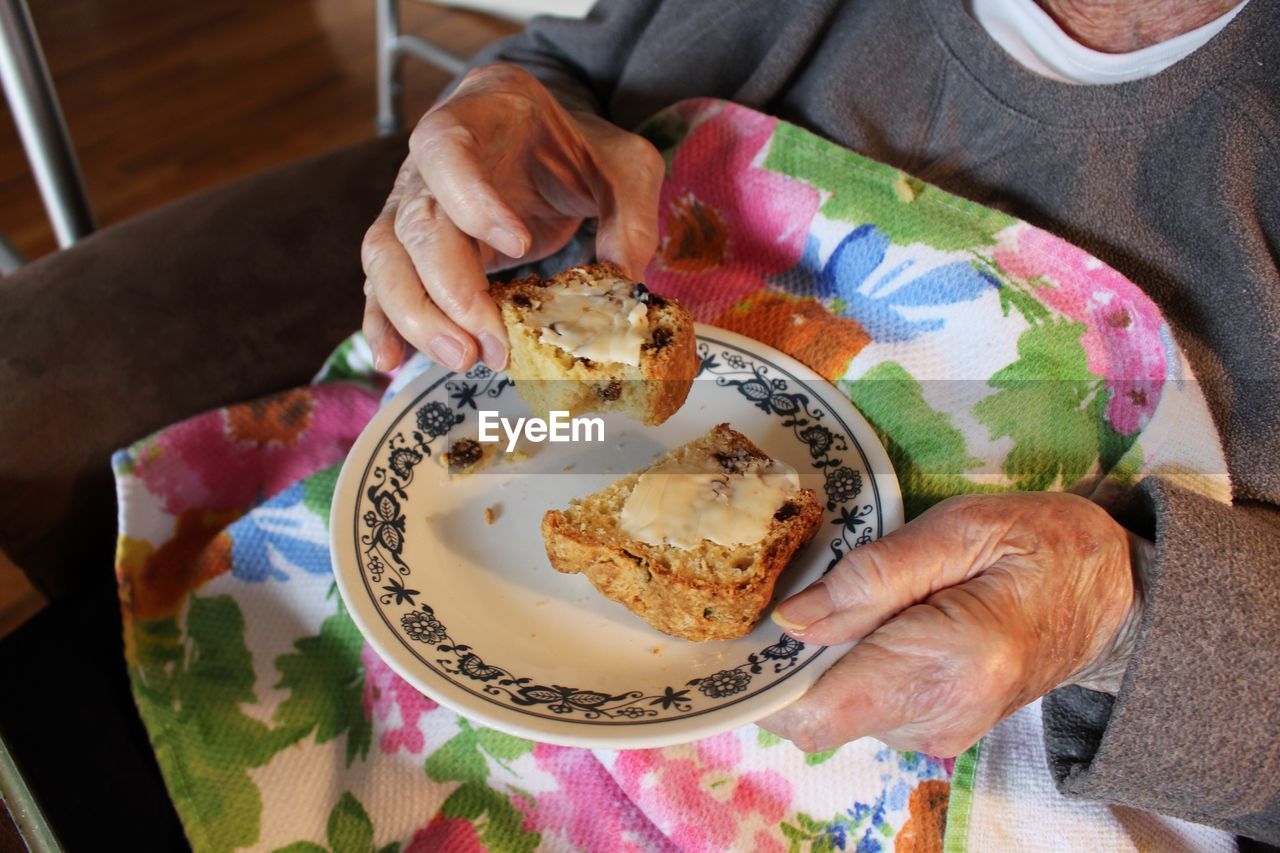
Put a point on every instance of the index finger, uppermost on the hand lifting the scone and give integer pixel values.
(447, 157)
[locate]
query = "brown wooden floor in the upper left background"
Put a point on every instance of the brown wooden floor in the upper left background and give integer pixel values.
(164, 99)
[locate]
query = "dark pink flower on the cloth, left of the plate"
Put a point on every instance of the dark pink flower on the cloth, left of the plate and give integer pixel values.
(243, 454)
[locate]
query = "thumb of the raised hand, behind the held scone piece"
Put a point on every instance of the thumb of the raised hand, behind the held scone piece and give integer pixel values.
(628, 202)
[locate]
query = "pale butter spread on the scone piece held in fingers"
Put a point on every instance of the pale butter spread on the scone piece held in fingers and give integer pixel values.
(601, 321)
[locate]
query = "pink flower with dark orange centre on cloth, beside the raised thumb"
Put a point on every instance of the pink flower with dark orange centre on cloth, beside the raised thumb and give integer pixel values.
(726, 225)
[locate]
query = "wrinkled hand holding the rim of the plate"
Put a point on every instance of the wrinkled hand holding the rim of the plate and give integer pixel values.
(966, 615)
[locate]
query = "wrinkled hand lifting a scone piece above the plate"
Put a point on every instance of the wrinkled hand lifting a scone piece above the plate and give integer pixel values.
(499, 172)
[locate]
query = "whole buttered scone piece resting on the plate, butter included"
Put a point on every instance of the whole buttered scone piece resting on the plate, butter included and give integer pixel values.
(694, 544)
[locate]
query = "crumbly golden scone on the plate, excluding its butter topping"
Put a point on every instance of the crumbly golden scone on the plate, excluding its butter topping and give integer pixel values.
(696, 591)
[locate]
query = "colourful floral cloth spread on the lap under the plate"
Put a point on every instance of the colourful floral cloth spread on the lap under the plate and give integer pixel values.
(988, 354)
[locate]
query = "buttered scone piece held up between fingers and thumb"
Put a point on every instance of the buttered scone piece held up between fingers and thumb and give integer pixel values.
(592, 340)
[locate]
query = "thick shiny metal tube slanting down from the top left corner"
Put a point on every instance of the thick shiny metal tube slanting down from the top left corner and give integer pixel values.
(42, 126)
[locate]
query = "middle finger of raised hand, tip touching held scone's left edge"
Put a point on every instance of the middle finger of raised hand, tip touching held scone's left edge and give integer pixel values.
(450, 267)
